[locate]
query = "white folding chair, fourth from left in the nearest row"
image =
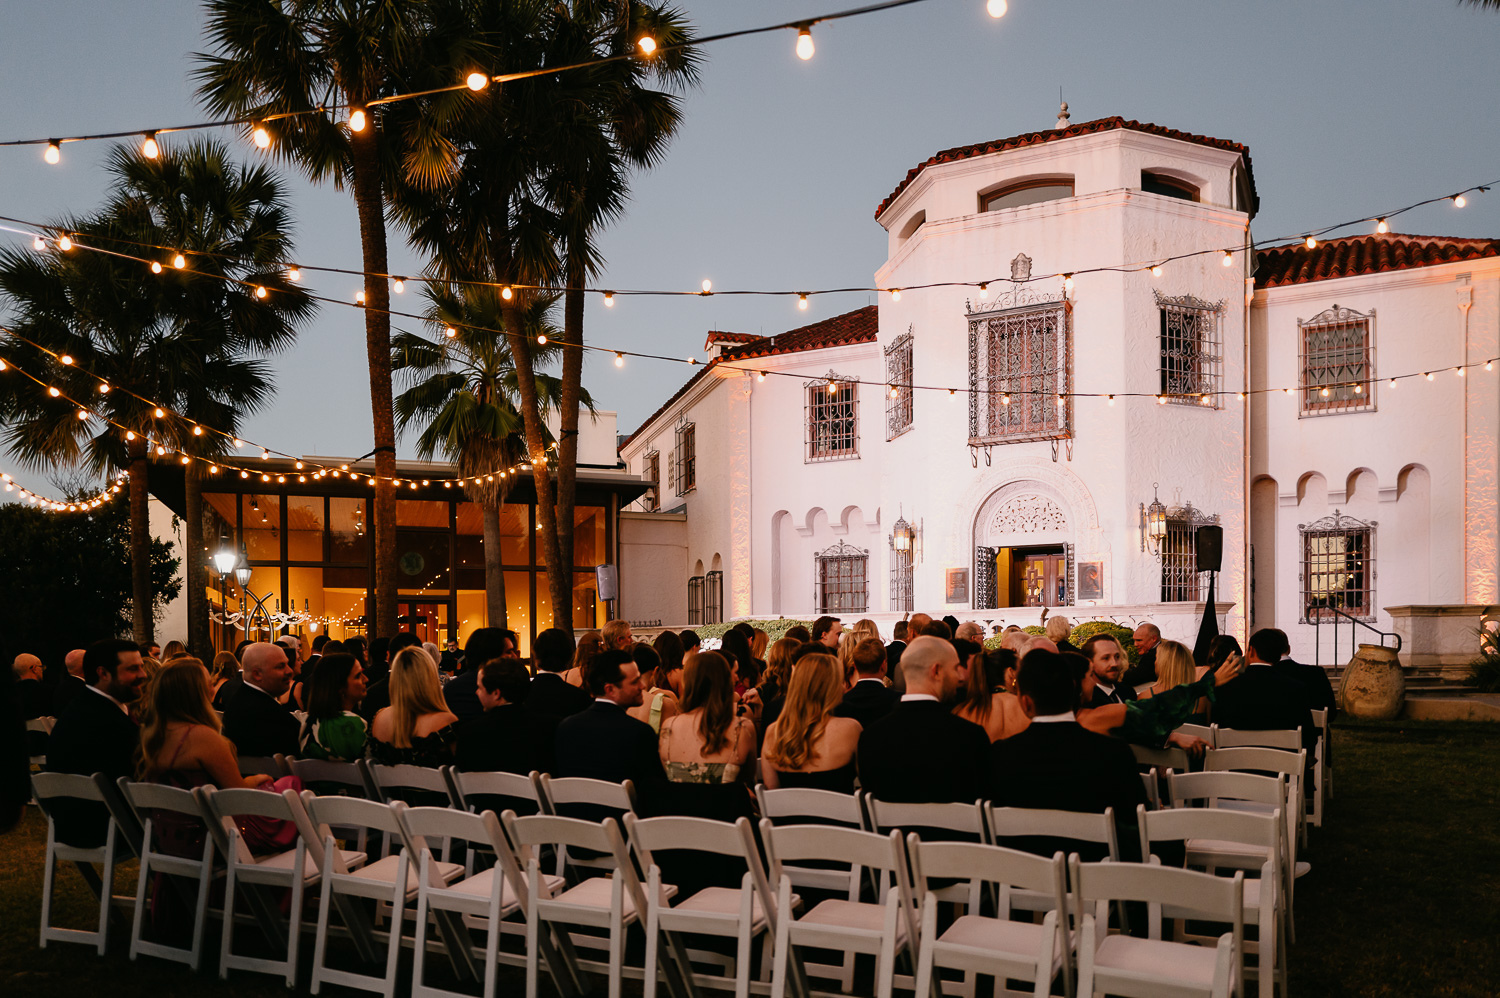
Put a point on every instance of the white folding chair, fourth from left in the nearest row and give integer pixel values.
(392, 880)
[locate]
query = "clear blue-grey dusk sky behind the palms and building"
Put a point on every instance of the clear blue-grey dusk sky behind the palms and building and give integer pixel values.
(1349, 109)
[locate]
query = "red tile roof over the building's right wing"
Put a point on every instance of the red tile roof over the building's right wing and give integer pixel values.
(1351, 256)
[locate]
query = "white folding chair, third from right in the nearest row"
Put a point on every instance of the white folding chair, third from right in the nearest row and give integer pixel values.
(886, 931)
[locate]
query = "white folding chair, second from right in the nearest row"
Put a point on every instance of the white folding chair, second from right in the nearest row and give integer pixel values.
(992, 945)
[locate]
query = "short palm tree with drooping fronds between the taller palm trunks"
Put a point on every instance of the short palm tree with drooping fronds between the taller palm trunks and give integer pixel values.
(463, 394)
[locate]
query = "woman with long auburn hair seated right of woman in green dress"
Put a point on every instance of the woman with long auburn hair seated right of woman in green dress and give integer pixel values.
(418, 729)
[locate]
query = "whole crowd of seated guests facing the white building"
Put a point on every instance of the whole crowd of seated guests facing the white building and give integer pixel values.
(931, 717)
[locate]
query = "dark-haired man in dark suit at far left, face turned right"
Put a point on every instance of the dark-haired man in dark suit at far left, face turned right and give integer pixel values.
(97, 736)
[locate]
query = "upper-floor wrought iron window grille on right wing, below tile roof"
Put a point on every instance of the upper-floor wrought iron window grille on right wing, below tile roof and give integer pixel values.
(1337, 362)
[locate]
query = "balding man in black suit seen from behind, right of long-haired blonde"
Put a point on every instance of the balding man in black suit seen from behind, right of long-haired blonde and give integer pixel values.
(922, 753)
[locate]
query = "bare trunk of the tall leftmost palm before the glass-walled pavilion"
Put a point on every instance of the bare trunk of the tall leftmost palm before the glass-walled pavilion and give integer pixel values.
(370, 203)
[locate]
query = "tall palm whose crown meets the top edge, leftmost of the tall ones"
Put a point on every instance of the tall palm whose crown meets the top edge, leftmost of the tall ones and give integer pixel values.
(298, 58)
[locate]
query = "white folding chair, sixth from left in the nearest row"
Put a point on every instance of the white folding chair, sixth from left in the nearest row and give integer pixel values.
(611, 903)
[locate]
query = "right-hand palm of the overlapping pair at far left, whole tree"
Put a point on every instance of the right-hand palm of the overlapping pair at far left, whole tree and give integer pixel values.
(235, 224)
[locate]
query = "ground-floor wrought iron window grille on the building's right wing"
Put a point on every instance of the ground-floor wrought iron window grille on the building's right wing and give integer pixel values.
(1339, 568)
